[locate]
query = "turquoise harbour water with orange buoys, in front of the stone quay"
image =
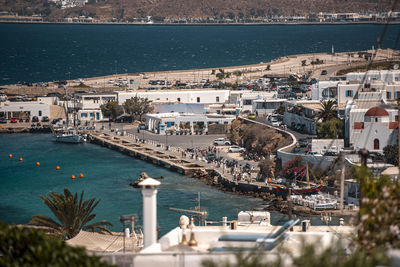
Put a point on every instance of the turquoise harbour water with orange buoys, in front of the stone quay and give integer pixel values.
(107, 176)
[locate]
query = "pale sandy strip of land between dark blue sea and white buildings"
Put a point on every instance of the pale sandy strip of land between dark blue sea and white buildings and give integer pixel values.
(283, 66)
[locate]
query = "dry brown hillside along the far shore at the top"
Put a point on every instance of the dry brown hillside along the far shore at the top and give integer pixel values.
(129, 9)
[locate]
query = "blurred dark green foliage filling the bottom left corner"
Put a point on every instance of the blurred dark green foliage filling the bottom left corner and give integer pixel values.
(31, 247)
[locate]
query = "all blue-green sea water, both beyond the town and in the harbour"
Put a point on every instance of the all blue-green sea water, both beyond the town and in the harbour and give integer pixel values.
(45, 52)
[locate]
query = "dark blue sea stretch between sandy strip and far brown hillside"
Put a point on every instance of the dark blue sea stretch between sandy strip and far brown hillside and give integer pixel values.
(45, 52)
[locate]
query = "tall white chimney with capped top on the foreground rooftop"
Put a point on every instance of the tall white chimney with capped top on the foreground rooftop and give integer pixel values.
(149, 192)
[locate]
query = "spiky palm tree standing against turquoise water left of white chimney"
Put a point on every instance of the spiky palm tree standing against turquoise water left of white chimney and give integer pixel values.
(73, 214)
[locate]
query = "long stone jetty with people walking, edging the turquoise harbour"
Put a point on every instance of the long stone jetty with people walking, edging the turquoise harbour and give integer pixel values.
(213, 174)
